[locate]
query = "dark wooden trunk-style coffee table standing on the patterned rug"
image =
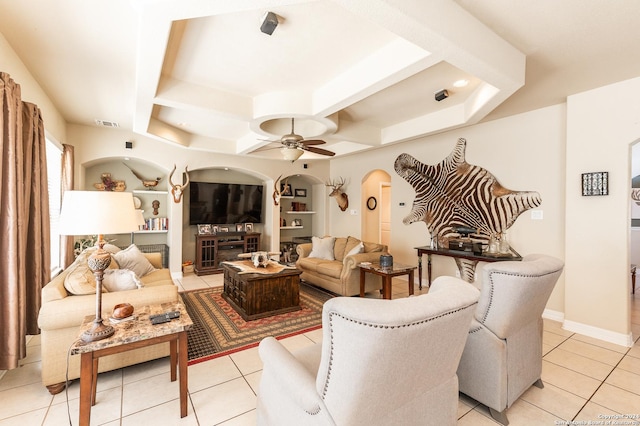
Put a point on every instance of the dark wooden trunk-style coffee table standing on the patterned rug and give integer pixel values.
(271, 291)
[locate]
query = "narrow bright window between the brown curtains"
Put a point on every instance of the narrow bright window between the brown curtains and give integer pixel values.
(54, 176)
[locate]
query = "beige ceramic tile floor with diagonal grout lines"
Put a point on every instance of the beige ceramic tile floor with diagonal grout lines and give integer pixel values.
(584, 378)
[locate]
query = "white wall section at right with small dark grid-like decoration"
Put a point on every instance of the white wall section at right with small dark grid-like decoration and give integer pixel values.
(602, 124)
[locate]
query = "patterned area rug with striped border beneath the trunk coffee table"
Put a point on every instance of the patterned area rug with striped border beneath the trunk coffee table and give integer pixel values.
(219, 330)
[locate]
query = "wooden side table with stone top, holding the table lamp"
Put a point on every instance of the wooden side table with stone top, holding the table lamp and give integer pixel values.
(129, 335)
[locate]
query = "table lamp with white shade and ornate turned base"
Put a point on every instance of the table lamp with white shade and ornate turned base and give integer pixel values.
(97, 213)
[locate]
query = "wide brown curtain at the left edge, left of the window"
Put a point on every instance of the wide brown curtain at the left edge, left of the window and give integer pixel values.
(24, 222)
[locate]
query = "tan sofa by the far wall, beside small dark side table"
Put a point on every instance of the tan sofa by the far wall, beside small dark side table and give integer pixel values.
(338, 273)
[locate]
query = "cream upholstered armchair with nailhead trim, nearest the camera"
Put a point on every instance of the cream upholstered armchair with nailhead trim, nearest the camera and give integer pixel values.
(381, 362)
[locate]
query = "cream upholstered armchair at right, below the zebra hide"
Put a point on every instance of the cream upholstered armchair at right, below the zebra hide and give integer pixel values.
(503, 354)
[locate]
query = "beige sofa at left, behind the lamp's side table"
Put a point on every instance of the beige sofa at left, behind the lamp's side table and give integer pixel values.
(62, 314)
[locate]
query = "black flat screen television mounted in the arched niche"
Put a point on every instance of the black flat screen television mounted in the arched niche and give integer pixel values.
(212, 202)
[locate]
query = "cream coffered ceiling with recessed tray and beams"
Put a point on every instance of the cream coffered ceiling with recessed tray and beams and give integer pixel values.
(358, 74)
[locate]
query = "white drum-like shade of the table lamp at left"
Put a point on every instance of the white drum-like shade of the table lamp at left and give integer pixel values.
(97, 212)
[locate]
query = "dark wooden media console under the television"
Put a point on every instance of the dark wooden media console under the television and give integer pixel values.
(213, 249)
